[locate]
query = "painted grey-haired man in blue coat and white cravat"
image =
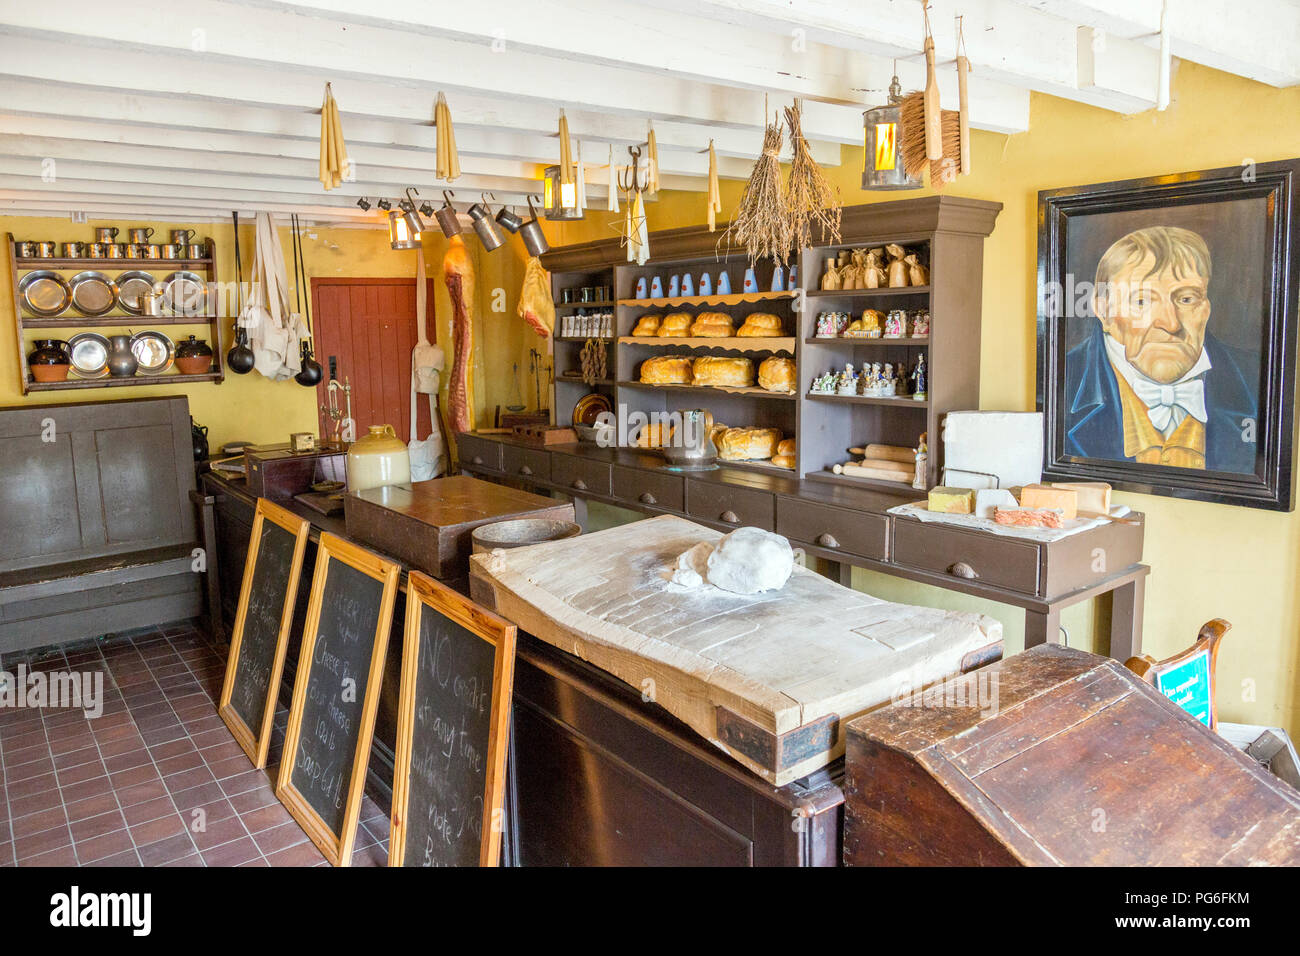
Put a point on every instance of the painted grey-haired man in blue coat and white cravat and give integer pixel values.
(1150, 383)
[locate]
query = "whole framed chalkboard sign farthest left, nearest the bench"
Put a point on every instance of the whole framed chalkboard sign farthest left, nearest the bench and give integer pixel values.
(262, 628)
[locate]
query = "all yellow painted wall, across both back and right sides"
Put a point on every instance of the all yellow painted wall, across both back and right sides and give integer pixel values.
(1208, 560)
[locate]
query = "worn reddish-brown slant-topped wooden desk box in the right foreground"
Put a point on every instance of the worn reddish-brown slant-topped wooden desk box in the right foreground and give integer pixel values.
(1056, 758)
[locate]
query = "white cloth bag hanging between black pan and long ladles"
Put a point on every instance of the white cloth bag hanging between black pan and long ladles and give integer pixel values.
(275, 332)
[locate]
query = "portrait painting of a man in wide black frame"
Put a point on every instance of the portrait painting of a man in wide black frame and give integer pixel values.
(1168, 334)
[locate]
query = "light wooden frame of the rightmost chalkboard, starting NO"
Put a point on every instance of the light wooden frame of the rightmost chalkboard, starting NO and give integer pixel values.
(426, 595)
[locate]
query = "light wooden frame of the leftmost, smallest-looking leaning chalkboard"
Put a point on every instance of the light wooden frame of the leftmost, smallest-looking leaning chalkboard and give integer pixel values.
(257, 742)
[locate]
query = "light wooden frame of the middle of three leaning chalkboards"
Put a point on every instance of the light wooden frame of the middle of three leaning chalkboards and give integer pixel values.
(337, 847)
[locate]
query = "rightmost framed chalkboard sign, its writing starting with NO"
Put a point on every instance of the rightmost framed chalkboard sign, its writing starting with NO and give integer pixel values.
(458, 665)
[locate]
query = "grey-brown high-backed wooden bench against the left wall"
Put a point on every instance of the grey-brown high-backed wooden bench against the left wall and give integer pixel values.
(97, 526)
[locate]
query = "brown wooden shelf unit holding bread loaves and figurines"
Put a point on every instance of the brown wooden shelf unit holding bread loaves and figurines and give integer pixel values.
(951, 235)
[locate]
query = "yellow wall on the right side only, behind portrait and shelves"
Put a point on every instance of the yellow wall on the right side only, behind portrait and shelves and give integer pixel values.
(1207, 560)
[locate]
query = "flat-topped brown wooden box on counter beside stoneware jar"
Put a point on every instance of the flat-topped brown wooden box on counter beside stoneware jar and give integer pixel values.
(428, 525)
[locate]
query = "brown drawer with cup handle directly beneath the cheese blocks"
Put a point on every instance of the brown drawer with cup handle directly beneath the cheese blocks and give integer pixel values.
(991, 560)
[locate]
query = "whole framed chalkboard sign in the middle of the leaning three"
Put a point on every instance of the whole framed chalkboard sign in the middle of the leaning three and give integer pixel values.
(337, 694)
